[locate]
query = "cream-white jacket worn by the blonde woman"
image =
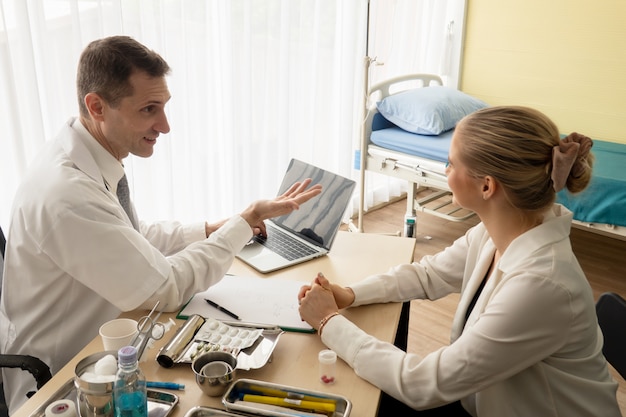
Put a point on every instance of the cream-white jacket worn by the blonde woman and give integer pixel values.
(531, 345)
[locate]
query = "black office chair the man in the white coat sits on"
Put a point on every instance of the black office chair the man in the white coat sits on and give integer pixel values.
(38, 368)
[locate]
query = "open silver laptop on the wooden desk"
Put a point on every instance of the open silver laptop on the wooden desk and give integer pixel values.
(303, 234)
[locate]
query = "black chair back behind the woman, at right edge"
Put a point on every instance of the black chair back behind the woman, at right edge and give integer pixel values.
(611, 311)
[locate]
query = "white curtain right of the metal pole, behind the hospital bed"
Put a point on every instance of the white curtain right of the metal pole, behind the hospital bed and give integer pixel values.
(411, 37)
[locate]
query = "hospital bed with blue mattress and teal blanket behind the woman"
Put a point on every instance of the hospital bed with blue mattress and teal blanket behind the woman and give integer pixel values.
(388, 149)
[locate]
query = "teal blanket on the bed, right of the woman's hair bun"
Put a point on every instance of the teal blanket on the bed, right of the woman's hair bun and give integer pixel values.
(604, 200)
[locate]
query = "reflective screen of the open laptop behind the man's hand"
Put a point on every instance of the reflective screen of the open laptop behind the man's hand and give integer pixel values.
(318, 219)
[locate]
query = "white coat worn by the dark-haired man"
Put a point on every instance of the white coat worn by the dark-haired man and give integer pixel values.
(74, 261)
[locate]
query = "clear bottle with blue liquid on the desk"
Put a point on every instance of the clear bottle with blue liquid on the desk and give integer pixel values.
(129, 391)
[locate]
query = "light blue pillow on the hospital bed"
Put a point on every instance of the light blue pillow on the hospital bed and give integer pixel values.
(428, 110)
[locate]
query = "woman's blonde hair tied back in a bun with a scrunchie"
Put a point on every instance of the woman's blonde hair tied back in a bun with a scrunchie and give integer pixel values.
(514, 145)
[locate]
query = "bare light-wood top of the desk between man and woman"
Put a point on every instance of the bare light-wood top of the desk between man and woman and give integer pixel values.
(353, 257)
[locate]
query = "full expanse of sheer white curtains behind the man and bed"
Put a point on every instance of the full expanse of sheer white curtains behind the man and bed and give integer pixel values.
(254, 84)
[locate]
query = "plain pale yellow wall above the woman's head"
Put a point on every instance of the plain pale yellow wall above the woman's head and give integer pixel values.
(565, 58)
